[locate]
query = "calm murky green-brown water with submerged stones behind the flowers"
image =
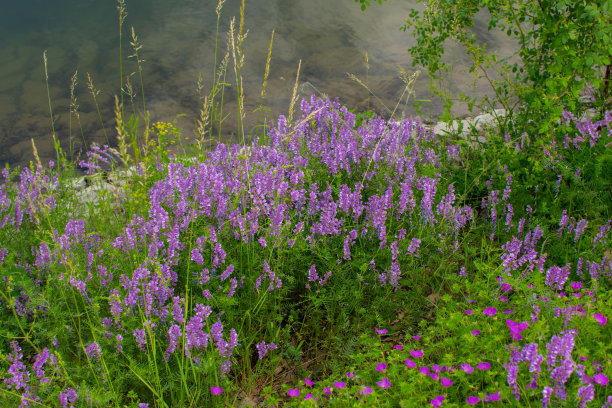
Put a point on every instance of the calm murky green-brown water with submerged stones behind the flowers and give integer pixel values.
(330, 37)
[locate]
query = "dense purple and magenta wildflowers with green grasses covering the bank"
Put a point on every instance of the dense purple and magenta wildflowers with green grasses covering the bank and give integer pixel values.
(330, 258)
